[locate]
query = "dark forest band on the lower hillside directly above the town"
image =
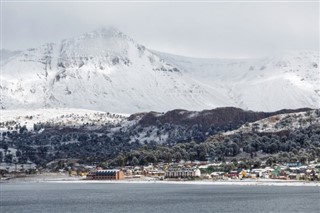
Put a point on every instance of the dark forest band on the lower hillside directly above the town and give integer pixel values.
(103, 146)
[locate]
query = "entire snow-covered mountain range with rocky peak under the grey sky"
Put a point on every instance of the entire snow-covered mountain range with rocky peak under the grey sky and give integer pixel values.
(108, 71)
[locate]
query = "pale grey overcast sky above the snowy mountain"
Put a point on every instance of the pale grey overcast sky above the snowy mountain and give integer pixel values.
(213, 29)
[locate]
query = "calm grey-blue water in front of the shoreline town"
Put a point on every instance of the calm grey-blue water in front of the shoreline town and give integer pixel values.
(109, 197)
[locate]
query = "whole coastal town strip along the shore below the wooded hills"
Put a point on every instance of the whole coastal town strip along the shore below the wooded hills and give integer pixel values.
(182, 171)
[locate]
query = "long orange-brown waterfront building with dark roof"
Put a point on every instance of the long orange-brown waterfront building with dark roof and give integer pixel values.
(110, 174)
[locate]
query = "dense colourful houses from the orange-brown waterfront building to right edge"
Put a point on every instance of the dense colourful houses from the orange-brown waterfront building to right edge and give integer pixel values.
(193, 171)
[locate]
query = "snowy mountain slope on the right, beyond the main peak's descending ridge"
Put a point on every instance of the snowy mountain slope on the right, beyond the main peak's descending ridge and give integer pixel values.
(290, 80)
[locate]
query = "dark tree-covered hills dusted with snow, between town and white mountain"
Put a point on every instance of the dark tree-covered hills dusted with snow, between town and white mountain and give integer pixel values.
(218, 135)
